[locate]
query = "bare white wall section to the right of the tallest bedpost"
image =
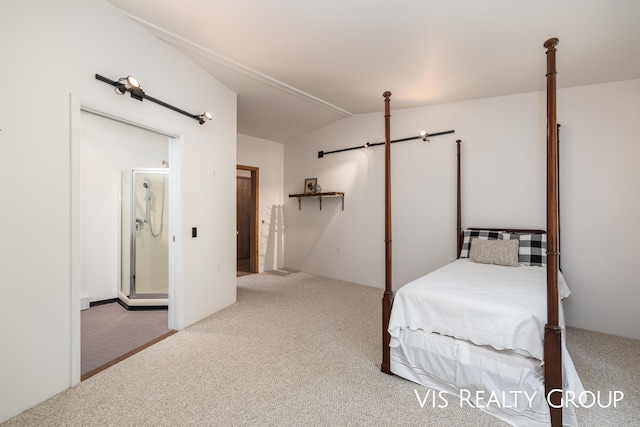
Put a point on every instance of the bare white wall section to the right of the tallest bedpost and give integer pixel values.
(600, 191)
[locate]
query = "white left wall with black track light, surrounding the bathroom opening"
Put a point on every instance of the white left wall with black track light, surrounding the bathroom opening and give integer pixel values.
(47, 56)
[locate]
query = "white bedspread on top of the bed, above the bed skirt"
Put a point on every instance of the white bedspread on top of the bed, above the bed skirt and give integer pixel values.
(503, 307)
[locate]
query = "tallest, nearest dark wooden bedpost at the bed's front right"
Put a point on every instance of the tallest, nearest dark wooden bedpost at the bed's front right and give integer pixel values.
(553, 332)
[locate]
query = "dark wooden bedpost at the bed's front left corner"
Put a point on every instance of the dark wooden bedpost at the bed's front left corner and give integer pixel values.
(387, 299)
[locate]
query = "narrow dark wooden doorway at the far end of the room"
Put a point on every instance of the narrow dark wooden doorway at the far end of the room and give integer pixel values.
(246, 220)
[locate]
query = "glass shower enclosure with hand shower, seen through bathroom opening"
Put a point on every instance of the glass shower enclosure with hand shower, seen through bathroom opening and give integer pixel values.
(144, 243)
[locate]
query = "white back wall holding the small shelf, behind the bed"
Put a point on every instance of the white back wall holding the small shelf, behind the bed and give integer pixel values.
(423, 181)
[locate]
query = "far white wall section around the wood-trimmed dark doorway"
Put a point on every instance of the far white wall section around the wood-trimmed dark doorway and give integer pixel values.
(268, 156)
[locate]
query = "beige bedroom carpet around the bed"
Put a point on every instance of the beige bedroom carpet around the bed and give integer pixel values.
(301, 350)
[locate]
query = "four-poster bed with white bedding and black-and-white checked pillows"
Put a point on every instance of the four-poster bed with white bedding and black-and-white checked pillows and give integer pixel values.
(488, 327)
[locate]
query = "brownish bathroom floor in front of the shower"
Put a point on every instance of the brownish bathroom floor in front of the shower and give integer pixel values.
(109, 332)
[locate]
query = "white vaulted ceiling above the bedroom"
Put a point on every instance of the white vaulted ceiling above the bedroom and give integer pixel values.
(299, 65)
